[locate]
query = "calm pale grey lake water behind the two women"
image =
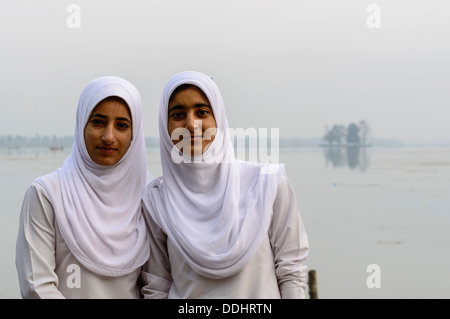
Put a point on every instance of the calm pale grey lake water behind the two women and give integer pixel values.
(378, 219)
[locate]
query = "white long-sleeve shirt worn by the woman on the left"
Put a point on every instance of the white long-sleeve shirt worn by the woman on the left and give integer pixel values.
(45, 265)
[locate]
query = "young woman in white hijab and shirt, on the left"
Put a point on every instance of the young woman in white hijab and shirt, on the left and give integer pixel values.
(82, 233)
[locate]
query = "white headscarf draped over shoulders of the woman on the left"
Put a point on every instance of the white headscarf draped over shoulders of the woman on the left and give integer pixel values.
(98, 208)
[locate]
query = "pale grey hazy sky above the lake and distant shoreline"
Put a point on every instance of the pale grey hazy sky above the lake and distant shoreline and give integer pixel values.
(294, 65)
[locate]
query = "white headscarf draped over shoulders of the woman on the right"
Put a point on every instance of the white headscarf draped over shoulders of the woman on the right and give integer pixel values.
(216, 209)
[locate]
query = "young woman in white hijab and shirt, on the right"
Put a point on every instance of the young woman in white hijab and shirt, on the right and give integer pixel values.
(219, 227)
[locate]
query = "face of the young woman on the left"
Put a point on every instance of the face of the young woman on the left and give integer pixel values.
(108, 132)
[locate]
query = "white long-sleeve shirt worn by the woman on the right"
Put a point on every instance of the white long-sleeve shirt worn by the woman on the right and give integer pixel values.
(276, 271)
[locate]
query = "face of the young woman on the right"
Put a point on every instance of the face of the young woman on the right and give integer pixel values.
(190, 109)
